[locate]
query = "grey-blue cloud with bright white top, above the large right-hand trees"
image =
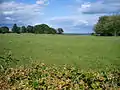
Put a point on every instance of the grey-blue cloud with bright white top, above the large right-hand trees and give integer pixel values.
(107, 6)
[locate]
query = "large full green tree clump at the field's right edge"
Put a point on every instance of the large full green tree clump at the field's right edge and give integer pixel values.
(108, 26)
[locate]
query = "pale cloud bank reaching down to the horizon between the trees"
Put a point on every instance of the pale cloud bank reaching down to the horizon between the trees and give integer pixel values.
(74, 23)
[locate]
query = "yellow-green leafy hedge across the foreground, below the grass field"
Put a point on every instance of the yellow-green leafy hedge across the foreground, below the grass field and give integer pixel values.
(43, 77)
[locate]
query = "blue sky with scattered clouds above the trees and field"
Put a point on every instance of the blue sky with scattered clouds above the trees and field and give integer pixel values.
(74, 16)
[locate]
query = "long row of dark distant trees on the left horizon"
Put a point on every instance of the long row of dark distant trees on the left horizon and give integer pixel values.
(37, 29)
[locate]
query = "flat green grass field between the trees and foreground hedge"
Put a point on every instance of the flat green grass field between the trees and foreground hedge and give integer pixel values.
(87, 52)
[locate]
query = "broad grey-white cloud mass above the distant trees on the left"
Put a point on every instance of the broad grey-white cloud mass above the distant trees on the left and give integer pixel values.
(20, 13)
